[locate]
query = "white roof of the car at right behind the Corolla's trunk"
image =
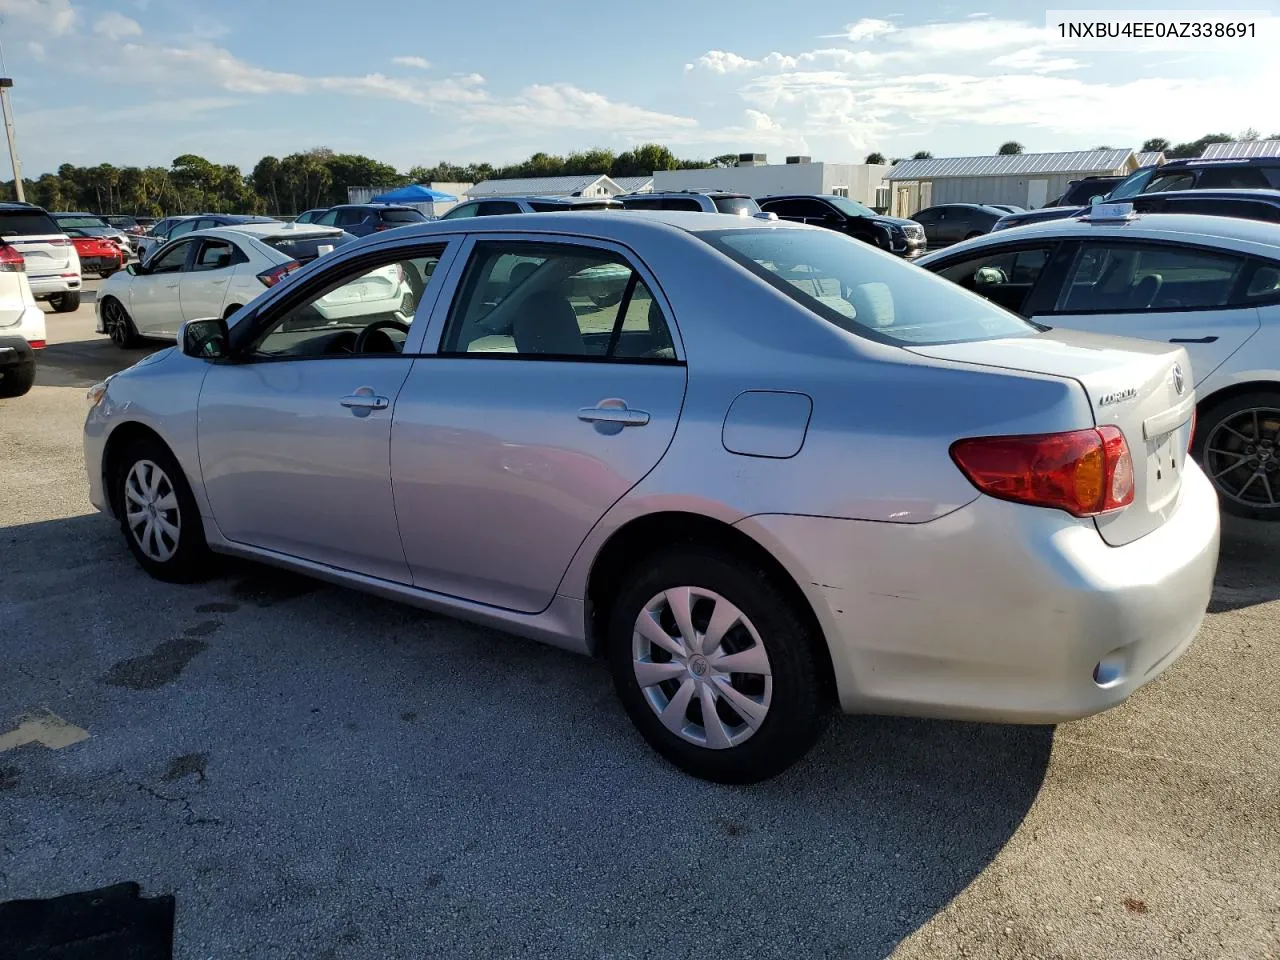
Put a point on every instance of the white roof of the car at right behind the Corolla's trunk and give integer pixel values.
(1227, 232)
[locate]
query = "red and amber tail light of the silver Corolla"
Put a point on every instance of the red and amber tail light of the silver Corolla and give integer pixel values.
(1085, 473)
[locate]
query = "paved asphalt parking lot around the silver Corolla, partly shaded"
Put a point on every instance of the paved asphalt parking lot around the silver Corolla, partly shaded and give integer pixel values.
(317, 774)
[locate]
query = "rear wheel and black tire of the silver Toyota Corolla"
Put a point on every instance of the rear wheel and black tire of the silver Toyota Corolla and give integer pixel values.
(793, 694)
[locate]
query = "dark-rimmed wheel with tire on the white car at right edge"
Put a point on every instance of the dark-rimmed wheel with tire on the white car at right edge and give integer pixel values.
(1250, 490)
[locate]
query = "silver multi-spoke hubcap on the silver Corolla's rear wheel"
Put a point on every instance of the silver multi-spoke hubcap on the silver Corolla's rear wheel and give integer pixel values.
(702, 668)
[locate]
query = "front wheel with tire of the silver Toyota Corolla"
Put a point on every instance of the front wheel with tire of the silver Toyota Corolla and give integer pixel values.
(176, 560)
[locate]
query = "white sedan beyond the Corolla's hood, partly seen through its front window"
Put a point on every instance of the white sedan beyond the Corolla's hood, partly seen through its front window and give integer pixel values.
(214, 273)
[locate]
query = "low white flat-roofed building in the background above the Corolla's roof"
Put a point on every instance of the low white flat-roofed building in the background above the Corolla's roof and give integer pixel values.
(758, 179)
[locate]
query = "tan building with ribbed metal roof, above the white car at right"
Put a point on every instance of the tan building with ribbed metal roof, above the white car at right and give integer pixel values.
(1026, 180)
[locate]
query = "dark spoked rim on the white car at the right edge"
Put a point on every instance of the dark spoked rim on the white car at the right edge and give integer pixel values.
(1242, 456)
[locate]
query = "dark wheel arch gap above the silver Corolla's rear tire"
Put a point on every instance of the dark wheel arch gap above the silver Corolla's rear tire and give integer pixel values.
(652, 532)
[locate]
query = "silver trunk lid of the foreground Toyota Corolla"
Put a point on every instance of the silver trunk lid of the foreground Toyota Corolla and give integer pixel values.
(1142, 387)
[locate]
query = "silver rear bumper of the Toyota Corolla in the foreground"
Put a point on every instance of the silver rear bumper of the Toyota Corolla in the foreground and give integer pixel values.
(1000, 612)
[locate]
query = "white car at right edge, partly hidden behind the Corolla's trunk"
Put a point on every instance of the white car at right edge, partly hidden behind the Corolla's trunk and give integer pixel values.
(1208, 284)
